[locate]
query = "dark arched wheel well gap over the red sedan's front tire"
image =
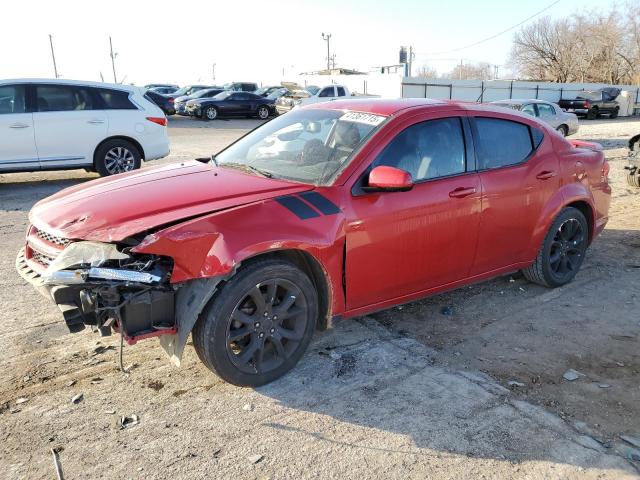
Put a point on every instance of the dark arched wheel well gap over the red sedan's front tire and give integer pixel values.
(309, 265)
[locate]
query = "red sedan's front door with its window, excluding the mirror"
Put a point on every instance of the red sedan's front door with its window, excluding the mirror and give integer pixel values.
(404, 243)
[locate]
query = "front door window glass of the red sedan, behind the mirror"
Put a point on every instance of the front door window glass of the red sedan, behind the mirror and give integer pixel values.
(427, 150)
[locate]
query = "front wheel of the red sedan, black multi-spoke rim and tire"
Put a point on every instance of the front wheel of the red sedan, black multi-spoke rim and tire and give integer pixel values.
(259, 324)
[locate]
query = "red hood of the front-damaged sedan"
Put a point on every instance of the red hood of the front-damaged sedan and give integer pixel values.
(114, 208)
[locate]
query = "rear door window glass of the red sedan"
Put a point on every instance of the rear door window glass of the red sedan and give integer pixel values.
(502, 142)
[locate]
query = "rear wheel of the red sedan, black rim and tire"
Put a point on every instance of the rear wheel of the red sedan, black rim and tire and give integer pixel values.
(562, 251)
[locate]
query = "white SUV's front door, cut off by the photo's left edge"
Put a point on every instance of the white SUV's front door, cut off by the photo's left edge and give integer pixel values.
(17, 141)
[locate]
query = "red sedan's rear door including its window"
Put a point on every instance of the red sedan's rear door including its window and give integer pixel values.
(519, 174)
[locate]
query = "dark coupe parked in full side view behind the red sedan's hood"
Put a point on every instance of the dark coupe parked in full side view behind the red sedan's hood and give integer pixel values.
(234, 104)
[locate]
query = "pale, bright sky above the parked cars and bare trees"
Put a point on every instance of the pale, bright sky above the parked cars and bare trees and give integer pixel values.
(254, 41)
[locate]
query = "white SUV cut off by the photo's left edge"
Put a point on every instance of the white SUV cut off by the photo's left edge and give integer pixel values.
(65, 124)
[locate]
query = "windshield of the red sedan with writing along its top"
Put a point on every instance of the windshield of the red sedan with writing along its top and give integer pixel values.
(309, 146)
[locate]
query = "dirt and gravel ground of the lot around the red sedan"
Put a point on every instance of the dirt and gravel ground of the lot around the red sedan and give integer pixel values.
(410, 392)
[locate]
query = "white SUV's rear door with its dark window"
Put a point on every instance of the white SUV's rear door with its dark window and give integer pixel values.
(68, 125)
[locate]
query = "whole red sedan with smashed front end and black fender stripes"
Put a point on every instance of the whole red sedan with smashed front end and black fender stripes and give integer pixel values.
(332, 210)
